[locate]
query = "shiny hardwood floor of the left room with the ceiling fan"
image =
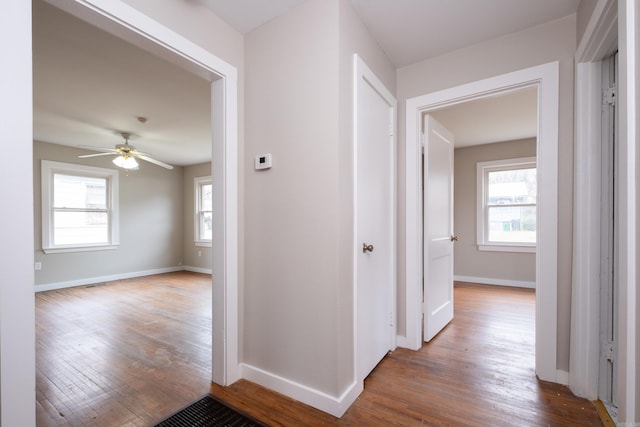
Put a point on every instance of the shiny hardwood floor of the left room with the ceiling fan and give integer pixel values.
(126, 353)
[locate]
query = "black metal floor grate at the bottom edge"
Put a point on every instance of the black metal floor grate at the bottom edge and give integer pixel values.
(207, 412)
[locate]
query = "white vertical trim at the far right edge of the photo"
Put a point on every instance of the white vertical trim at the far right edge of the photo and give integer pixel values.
(627, 181)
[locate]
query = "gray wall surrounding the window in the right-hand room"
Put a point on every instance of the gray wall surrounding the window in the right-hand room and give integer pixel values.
(469, 261)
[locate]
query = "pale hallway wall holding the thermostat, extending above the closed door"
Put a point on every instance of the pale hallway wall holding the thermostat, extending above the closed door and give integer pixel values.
(298, 296)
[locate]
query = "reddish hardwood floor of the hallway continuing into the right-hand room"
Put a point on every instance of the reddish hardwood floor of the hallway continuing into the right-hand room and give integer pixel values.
(477, 372)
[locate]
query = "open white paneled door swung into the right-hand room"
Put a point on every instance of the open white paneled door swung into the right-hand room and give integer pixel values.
(438, 227)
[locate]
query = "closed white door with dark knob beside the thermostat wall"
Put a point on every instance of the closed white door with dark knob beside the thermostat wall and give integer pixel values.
(375, 222)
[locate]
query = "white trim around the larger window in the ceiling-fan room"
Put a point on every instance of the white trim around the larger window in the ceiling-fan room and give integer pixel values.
(48, 168)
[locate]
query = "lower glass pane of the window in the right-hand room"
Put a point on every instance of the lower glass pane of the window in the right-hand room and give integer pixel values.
(512, 224)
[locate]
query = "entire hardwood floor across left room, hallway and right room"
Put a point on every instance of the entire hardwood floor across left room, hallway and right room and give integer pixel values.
(132, 352)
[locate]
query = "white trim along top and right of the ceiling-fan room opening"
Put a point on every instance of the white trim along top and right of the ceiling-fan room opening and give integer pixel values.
(117, 17)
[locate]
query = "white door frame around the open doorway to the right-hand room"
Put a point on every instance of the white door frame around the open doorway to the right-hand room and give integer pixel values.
(546, 78)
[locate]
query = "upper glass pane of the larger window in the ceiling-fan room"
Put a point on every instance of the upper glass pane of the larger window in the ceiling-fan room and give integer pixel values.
(82, 192)
